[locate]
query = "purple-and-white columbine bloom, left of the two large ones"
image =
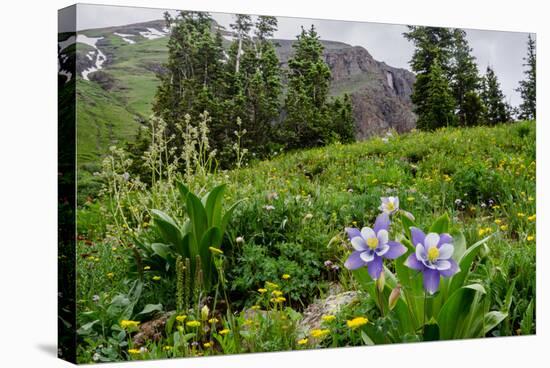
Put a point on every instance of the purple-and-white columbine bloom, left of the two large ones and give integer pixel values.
(371, 245)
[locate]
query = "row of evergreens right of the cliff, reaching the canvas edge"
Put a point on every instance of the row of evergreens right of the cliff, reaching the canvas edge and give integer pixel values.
(450, 91)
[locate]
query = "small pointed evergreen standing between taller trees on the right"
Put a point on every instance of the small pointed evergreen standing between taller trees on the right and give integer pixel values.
(497, 111)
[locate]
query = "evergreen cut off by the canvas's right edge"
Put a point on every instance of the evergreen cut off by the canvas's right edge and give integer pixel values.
(528, 87)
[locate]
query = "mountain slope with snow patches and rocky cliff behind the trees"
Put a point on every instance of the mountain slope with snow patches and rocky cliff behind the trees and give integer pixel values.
(116, 80)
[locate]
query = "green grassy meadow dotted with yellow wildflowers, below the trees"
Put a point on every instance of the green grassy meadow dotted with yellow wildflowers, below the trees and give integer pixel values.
(483, 177)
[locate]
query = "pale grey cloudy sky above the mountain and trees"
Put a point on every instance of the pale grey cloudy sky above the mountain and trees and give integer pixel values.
(501, 50)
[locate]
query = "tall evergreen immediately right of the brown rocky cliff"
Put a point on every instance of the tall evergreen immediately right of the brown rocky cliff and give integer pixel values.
(432, 44)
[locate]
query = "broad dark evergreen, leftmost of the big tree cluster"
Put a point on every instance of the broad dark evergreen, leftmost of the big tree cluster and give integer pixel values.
(196, 79)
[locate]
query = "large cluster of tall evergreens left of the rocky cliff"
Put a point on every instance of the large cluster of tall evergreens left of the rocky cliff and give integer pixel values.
(241, 87)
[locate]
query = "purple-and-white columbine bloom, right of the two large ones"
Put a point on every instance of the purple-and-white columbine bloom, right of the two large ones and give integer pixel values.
(432, 257)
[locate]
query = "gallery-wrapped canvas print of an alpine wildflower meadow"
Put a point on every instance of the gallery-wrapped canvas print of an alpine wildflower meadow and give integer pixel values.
(235, 183)
